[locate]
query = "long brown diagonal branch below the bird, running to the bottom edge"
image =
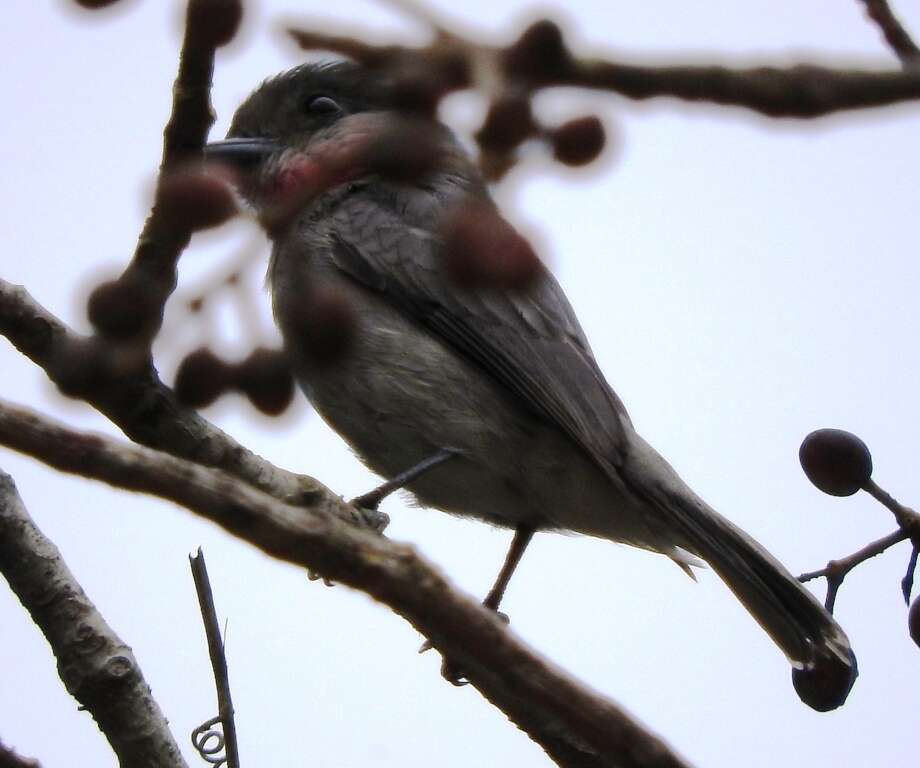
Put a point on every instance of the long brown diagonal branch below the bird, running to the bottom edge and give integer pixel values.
(576, 726)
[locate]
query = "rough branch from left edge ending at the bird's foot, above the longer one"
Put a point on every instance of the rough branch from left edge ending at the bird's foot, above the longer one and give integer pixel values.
(134, 399)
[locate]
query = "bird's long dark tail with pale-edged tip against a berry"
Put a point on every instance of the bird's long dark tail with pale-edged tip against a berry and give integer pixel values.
(824, 666)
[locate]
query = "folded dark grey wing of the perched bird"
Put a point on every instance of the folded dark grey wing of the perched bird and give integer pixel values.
(530, 342)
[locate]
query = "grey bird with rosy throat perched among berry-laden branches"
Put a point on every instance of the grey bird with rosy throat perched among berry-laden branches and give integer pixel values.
(492, 394)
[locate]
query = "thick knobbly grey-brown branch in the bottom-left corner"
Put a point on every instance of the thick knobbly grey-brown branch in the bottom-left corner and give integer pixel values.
(97, 668)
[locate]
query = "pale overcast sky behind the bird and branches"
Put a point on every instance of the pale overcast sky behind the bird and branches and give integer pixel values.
(742, 281)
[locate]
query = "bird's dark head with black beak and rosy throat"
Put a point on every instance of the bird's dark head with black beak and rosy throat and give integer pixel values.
(318, 125)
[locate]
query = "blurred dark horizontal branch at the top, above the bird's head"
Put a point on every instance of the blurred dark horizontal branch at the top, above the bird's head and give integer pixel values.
(540, 59)
